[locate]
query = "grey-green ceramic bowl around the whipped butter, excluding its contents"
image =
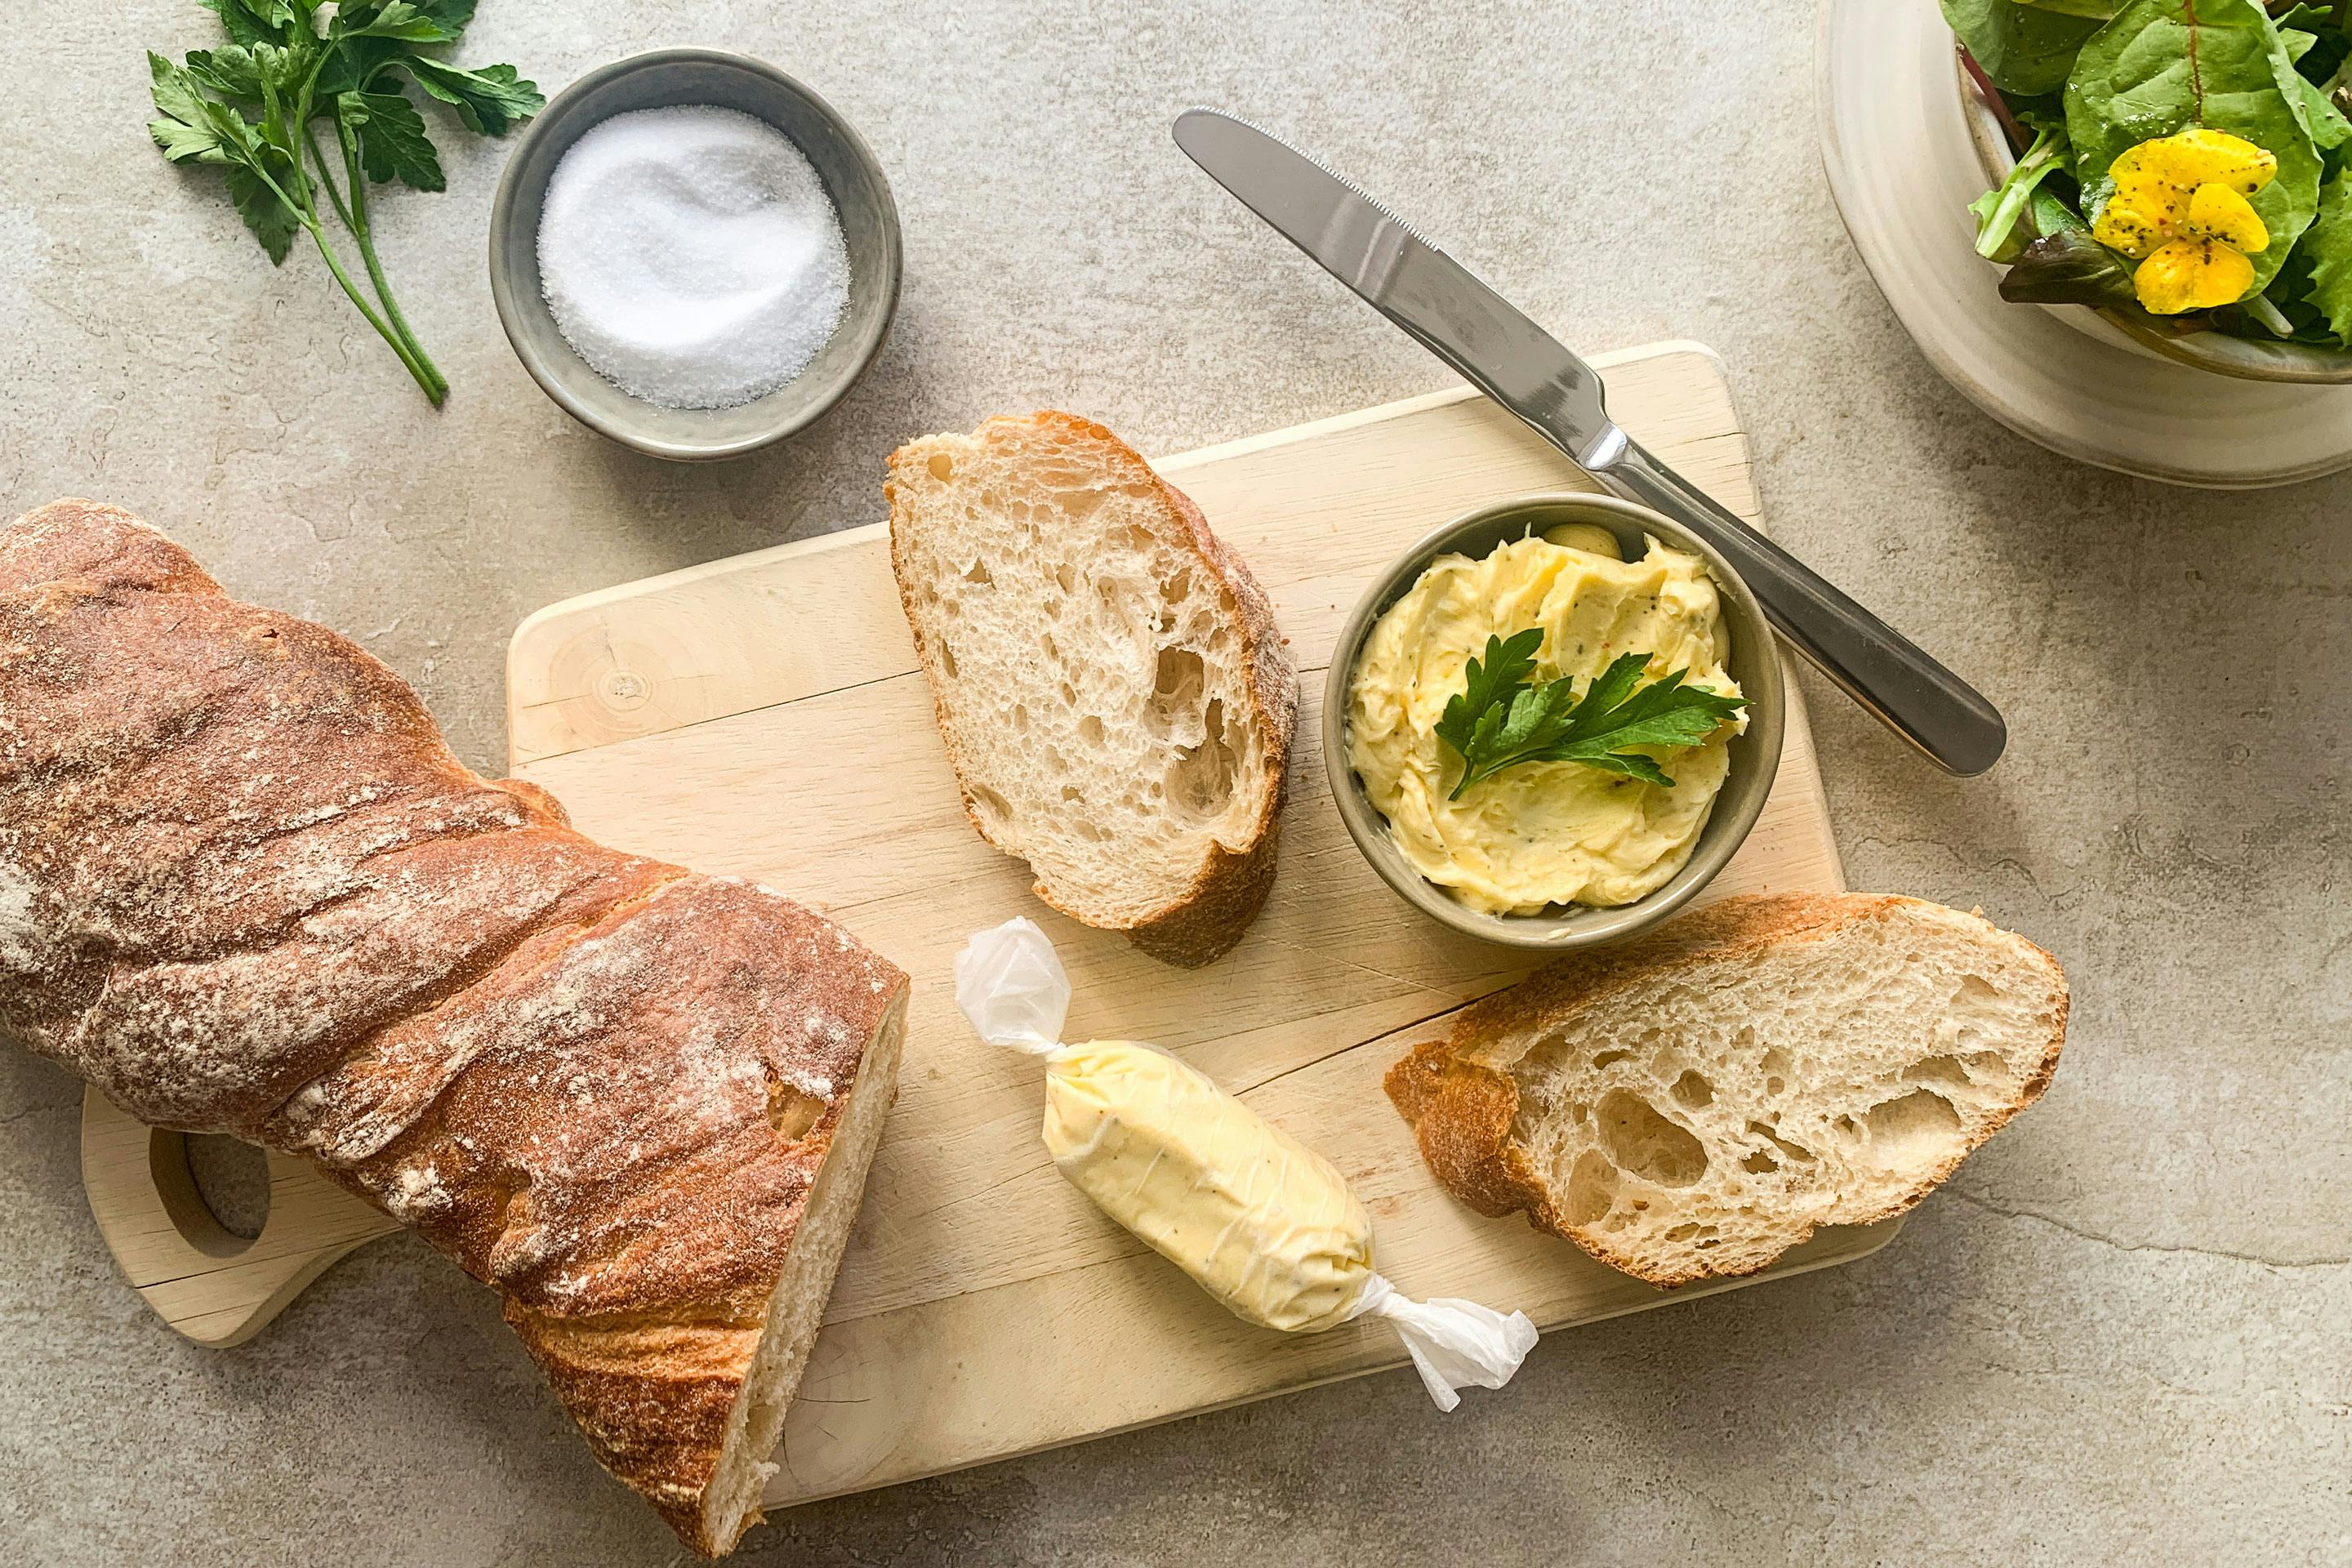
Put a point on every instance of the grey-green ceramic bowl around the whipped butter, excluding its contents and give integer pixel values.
(1756, 756)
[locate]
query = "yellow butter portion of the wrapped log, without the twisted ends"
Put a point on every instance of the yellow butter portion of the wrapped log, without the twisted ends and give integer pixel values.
(1262, 1221)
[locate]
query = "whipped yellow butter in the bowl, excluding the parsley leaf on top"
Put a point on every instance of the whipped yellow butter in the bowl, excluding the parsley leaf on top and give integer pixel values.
(1539, 833)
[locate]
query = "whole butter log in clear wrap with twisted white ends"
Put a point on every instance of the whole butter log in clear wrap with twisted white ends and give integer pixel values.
(1262, 1221)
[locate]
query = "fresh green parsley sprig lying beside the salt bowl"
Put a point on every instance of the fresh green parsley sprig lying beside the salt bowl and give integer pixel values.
(288, 65)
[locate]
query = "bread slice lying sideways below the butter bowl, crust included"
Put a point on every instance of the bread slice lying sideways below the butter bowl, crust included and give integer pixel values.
(1695, 1104)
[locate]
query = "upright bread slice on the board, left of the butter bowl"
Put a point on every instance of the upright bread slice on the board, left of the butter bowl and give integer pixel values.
(1107, 674)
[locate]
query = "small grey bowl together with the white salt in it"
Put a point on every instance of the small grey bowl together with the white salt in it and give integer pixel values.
(693, 253)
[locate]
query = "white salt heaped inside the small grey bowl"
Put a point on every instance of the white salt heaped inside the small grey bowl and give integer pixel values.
(693, 255)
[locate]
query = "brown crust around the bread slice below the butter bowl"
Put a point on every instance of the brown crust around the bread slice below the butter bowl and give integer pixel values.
(1464, 1101)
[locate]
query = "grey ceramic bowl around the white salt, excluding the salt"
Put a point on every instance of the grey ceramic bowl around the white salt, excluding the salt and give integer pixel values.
(853, 180)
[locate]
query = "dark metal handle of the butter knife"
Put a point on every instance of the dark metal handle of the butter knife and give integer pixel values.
(1876, 664)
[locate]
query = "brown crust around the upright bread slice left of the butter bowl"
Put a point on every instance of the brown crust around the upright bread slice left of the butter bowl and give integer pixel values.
(1210, 916)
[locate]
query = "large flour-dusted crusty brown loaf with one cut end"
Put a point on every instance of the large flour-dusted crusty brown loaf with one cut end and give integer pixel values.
(248, 890)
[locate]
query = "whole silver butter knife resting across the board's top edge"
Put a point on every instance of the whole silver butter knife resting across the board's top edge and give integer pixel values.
(1563, 401)
